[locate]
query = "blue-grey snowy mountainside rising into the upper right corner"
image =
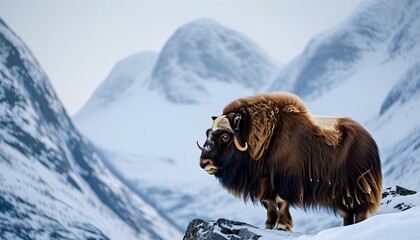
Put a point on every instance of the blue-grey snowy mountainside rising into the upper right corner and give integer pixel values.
(380, 35)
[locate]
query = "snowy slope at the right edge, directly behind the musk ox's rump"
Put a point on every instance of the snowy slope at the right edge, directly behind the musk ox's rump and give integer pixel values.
(398, 128)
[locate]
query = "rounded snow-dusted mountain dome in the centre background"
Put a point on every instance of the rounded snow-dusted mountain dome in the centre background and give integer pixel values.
(206, 51)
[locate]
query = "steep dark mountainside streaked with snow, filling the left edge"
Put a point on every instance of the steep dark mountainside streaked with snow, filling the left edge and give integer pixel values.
(53, 183)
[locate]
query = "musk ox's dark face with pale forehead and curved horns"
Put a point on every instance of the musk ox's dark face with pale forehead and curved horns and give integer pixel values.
(223, 139)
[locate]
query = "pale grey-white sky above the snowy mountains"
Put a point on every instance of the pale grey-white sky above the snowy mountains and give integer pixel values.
(78, 42)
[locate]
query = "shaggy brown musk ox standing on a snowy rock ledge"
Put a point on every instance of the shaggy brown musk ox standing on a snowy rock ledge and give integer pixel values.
(268, 148)
